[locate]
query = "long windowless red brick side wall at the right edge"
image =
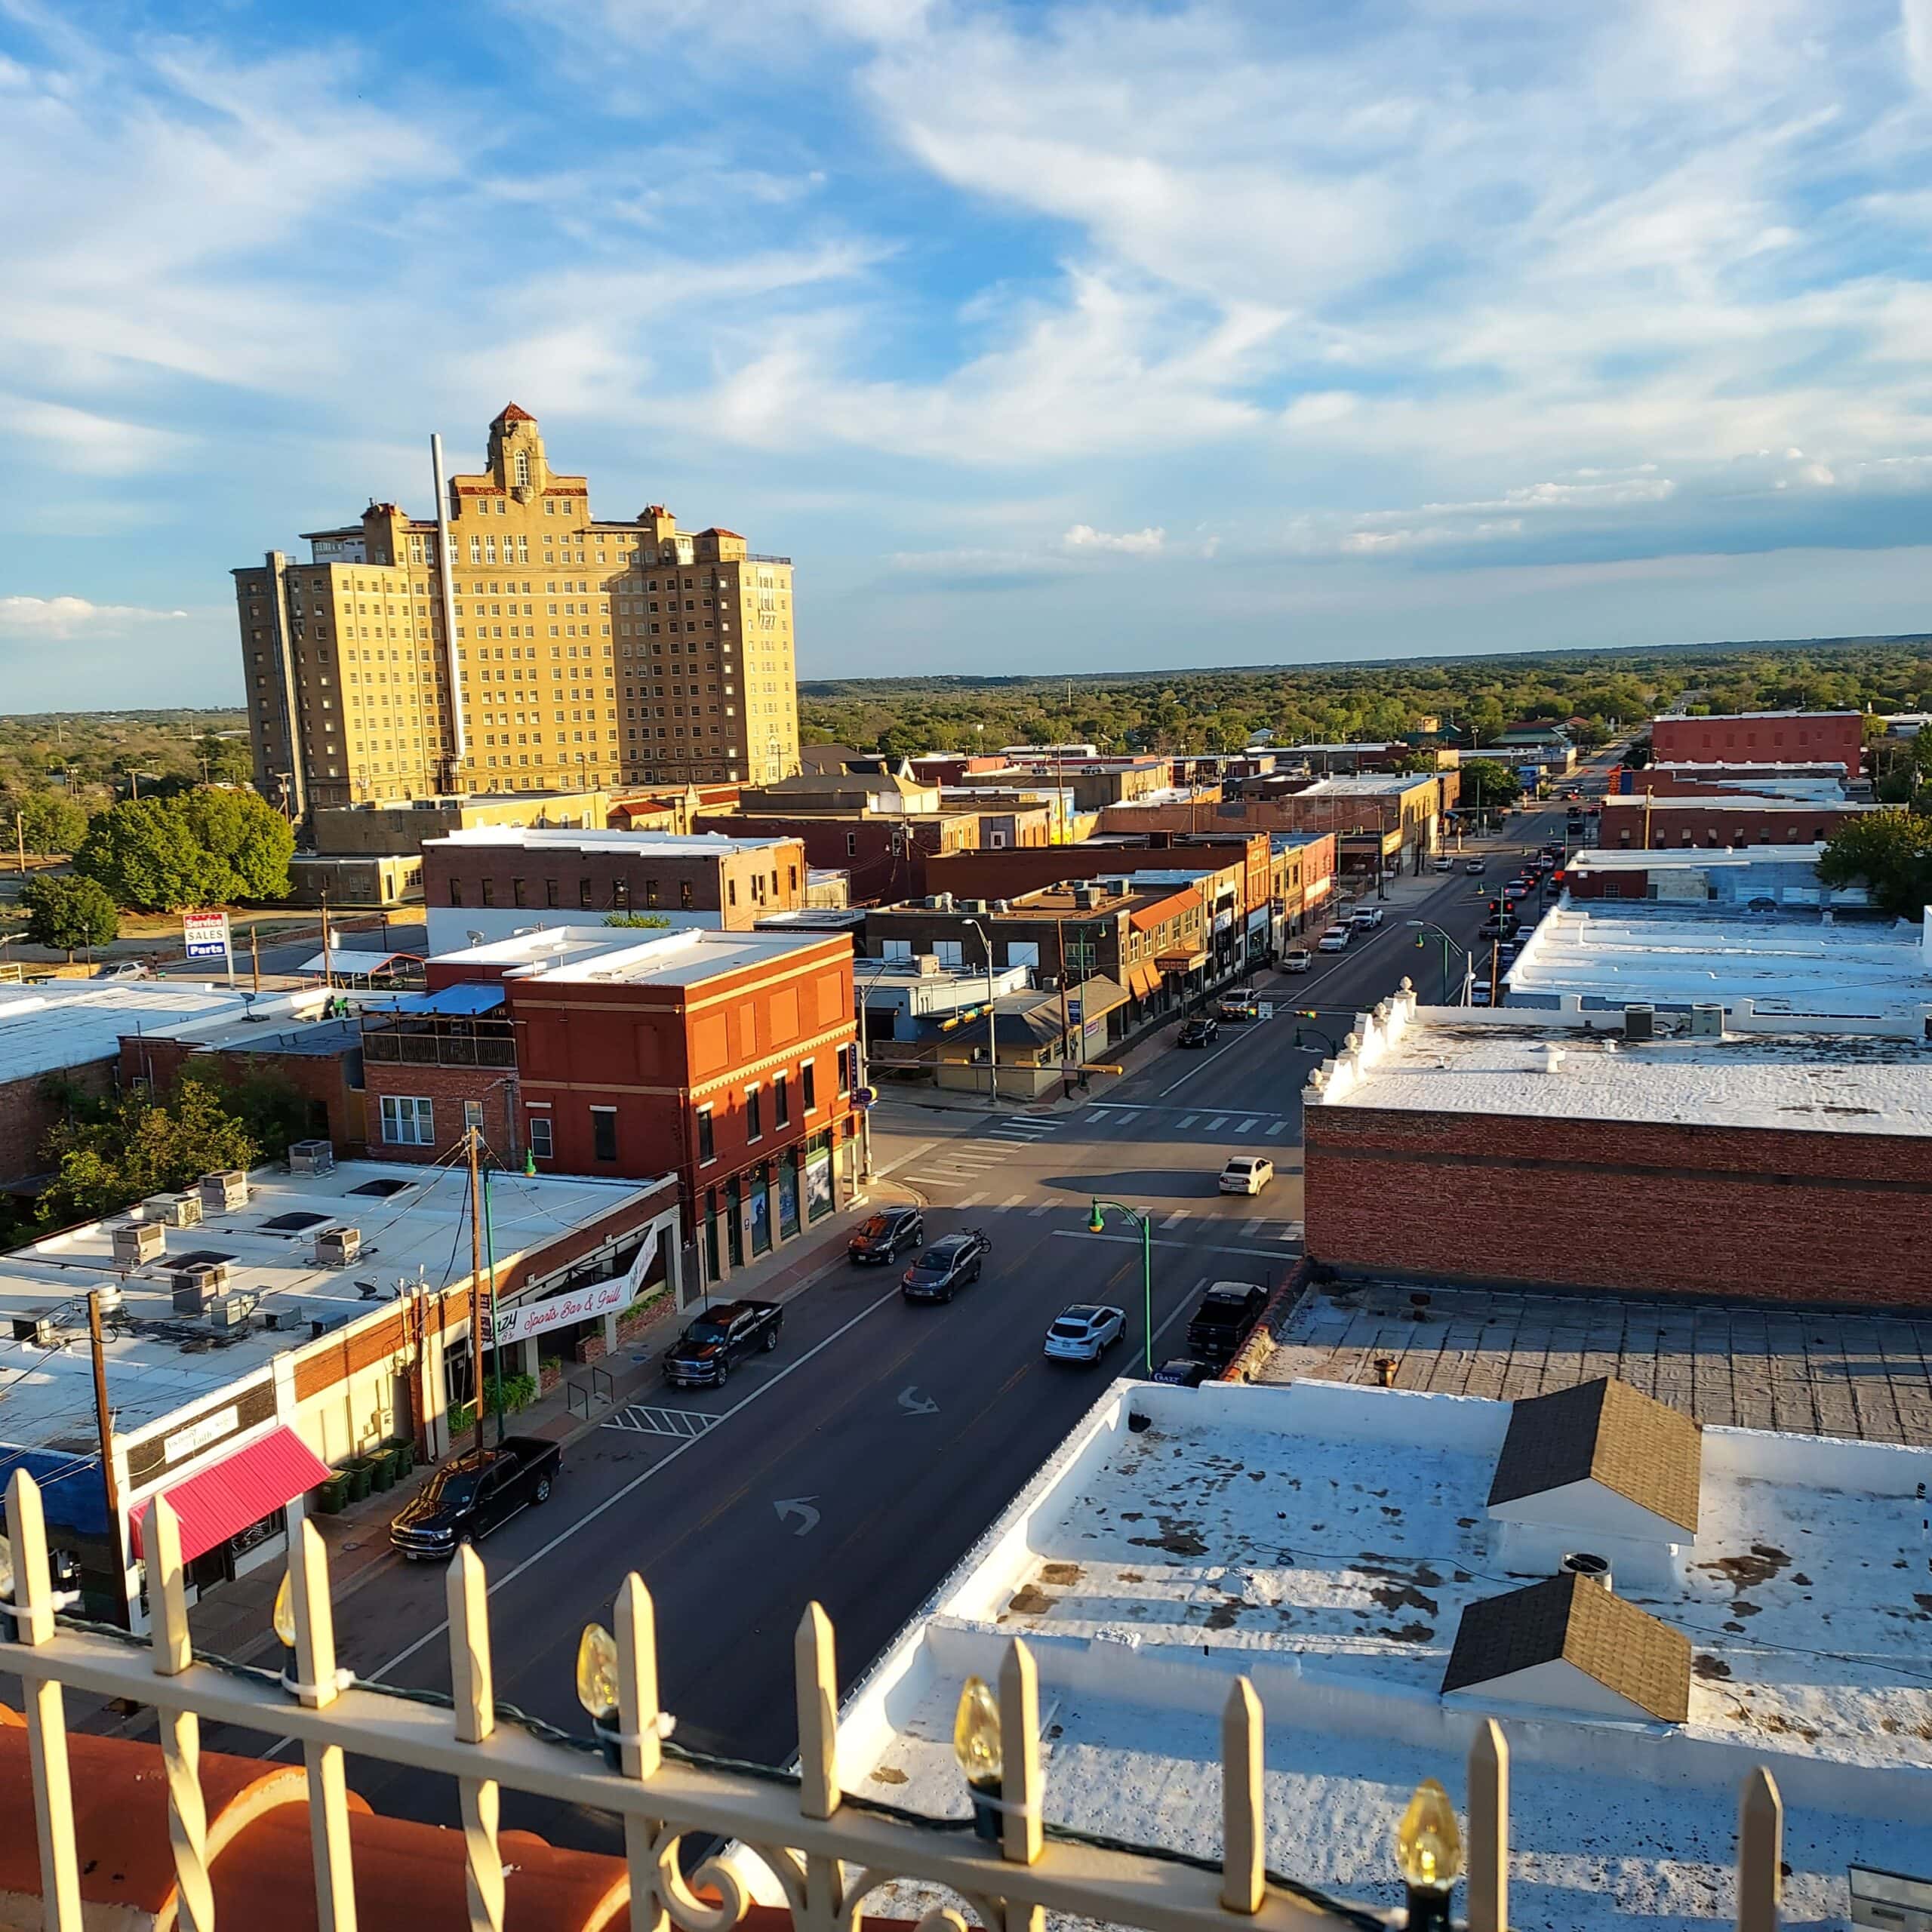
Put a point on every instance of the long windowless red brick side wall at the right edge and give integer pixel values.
(1593, 1205)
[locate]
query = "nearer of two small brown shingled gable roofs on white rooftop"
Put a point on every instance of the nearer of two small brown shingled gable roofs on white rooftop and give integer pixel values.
(1585, 1626)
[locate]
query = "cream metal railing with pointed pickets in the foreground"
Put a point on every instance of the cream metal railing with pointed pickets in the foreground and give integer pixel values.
(826, 1850)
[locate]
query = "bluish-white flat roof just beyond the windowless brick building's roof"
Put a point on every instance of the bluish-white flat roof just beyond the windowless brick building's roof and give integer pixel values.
(1790, 961)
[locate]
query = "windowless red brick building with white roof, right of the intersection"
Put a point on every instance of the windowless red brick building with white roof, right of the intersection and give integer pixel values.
(1527, 1151)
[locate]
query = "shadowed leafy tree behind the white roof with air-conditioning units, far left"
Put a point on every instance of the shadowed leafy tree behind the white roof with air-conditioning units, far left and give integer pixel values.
(117, 1152)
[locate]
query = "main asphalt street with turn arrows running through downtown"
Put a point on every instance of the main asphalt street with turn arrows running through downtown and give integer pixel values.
(859, 1462)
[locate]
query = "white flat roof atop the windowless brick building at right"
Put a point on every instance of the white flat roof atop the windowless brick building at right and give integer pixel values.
(1452, 1062)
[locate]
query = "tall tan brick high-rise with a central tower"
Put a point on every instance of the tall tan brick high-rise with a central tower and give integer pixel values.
(586, 654)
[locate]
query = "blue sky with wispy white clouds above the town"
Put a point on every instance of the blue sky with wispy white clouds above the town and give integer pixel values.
(1056, 337)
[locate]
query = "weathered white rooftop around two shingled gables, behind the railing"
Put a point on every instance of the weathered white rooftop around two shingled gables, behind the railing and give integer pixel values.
(1324, 1541)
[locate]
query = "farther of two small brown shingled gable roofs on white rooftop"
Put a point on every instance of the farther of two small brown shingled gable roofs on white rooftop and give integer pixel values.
(1606, 1433)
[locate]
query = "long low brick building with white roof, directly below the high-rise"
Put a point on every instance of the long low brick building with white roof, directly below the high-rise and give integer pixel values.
(501, 880)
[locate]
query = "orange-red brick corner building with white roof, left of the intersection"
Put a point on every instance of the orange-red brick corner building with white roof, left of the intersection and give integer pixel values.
(722, 1058)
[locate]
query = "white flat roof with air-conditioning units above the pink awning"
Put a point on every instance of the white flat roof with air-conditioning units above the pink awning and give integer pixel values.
(411, 1222)
